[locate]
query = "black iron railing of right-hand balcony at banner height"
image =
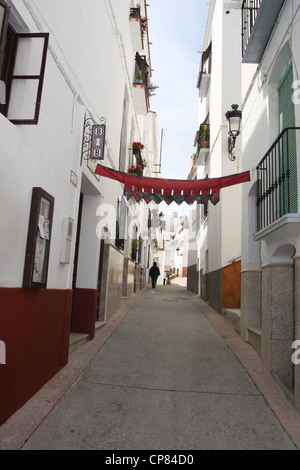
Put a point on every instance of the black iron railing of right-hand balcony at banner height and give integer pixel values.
(277, 192)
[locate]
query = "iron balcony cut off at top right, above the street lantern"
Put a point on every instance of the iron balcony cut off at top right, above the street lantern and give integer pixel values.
(258, 20)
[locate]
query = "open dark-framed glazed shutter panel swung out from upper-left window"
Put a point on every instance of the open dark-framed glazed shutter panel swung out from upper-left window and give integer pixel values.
(27, 78)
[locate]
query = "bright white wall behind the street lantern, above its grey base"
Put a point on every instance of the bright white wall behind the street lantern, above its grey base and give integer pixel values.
(218, 237)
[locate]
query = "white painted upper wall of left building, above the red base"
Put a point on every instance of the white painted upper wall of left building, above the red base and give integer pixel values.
(90, 62)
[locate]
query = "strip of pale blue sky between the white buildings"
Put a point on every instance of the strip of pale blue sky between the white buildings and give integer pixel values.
(176, 32)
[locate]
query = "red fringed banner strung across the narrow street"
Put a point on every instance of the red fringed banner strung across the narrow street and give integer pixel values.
(168, 190)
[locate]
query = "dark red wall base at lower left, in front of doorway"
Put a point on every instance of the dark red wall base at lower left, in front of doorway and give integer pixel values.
(35, 327)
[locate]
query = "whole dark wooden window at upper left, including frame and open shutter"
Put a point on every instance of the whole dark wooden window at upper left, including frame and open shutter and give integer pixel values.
(22, 67)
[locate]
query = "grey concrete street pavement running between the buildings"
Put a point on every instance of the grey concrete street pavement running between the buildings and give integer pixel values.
(167, 372)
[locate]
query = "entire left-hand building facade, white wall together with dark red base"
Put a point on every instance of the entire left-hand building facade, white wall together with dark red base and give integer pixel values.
(89, 74)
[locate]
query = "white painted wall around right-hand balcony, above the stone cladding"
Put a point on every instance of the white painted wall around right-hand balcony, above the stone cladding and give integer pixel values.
(260, 115)
